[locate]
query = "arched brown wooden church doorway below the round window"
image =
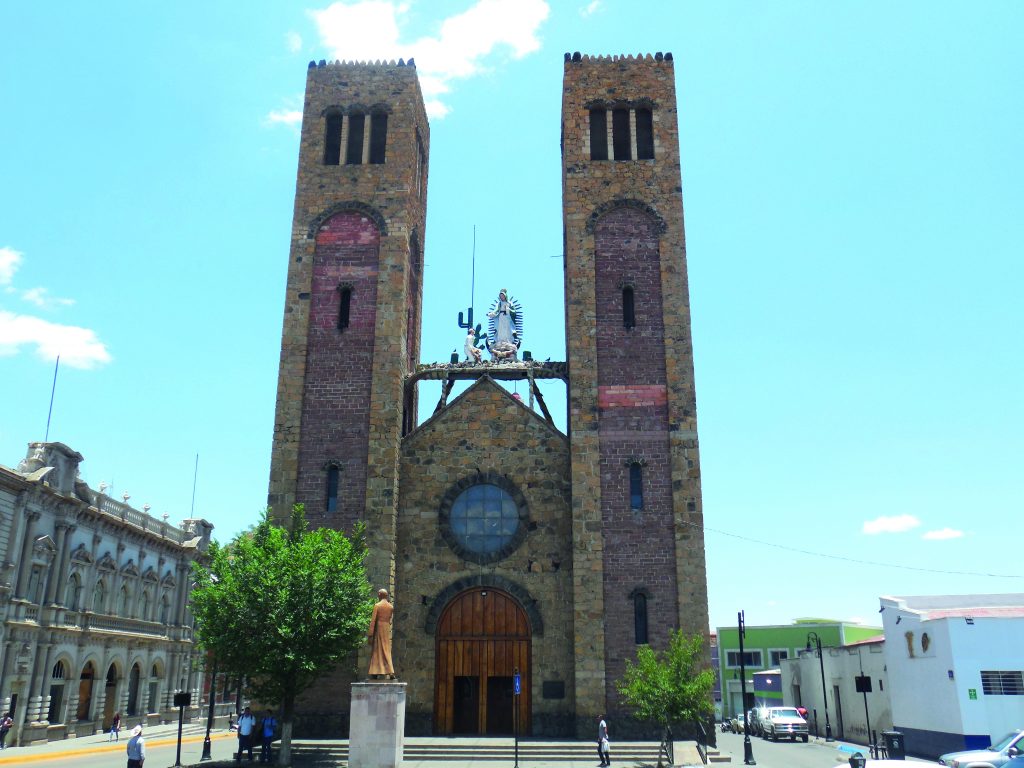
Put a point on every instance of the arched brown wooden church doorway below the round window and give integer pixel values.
(484, 636)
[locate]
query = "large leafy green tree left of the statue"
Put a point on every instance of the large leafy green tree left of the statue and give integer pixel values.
(282, 606)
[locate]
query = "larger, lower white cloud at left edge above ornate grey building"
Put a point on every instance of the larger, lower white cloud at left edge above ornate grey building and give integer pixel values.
(78, 348)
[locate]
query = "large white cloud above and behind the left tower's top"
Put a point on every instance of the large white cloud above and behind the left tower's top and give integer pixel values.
(369, 30)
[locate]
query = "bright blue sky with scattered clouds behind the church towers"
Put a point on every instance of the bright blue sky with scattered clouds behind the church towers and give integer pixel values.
(852, 184)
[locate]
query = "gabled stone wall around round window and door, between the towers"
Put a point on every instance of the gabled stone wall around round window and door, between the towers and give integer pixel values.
(486, 431)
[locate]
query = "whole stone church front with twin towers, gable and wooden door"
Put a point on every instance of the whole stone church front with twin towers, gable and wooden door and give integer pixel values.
(511, 548)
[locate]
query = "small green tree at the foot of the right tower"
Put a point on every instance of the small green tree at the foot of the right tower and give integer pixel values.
(673, 687)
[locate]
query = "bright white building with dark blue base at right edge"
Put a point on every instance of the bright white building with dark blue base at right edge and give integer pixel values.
(956, 664)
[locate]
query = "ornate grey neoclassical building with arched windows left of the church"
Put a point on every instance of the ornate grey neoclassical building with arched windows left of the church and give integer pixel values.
(94, 601)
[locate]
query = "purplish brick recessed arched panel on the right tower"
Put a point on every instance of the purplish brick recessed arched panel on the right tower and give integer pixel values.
(639, 550)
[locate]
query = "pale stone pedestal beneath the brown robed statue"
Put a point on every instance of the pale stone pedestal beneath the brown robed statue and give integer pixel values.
(377, 724)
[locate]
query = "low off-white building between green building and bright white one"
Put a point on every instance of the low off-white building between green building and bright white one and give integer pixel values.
(846, 707)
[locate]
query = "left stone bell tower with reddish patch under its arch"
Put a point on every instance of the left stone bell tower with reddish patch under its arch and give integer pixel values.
(352, 330)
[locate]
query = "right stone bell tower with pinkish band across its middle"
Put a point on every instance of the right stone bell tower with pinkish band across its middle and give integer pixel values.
(636, 475)
